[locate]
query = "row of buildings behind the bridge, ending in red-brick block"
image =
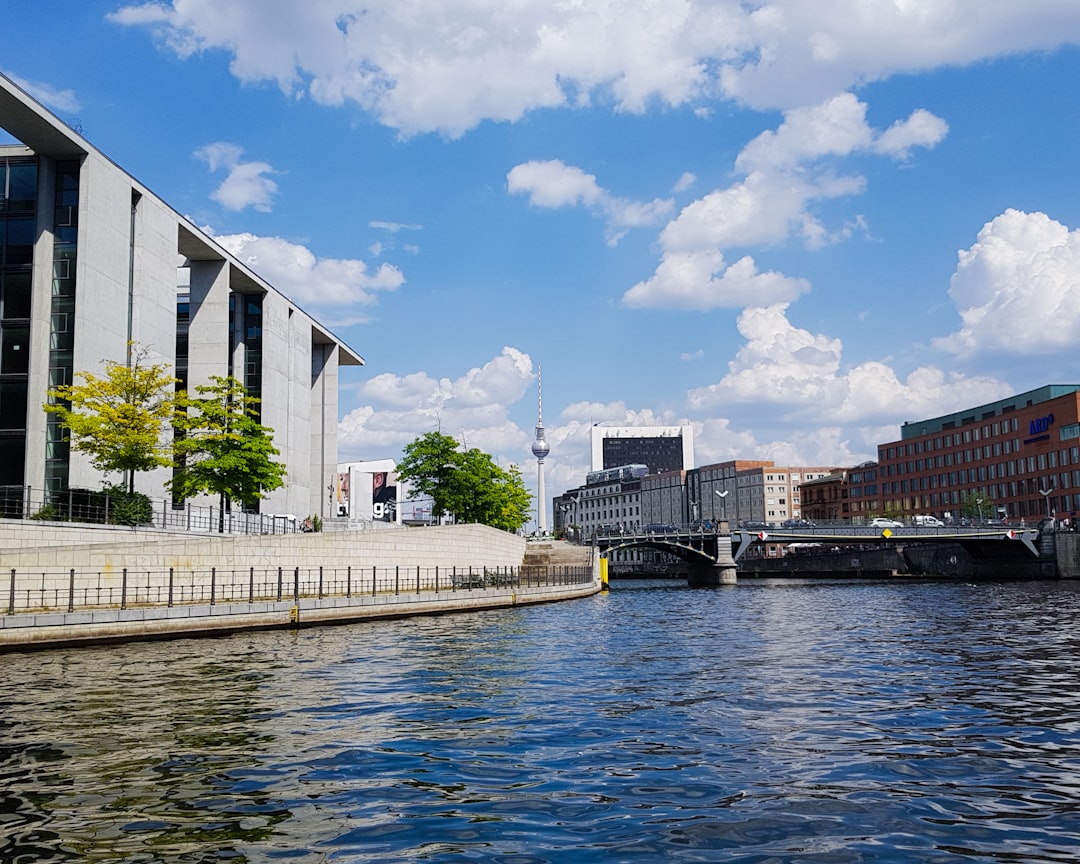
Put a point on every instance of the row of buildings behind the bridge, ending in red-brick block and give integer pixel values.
(1018, 458)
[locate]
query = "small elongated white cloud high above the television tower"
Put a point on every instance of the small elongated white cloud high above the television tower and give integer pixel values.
(553, 184)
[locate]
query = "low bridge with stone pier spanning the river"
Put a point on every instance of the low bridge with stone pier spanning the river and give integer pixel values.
(714, 556)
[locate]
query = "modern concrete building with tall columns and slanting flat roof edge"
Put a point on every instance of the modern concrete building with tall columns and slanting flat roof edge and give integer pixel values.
(90, 262)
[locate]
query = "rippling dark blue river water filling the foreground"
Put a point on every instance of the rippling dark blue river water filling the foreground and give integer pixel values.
(767, 722)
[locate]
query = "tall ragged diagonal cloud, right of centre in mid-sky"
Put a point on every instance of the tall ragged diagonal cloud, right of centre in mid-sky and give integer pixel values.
(788, 172)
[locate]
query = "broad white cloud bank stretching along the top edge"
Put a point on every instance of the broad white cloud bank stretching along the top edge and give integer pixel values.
(420, 66)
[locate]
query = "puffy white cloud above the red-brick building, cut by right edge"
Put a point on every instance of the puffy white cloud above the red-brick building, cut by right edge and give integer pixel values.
(1017, 289)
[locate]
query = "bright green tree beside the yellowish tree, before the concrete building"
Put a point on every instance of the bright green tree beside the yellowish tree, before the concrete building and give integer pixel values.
(221, 447)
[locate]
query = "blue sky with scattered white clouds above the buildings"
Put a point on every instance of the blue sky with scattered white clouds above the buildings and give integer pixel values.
(792, 225)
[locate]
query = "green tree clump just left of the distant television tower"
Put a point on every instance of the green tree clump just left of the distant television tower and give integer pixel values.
(467, 484)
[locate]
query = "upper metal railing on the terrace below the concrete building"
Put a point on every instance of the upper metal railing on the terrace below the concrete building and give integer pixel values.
(101, 508)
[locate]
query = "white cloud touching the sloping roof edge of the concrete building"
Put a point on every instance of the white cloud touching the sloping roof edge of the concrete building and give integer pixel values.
(319, 283)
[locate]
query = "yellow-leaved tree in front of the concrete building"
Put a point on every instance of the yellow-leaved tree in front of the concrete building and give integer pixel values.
(120, 421)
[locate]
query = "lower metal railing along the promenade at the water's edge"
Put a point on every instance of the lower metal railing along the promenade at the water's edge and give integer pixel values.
(70, 591)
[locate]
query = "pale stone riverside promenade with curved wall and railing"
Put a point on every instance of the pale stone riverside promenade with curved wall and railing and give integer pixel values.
(64, 585)
